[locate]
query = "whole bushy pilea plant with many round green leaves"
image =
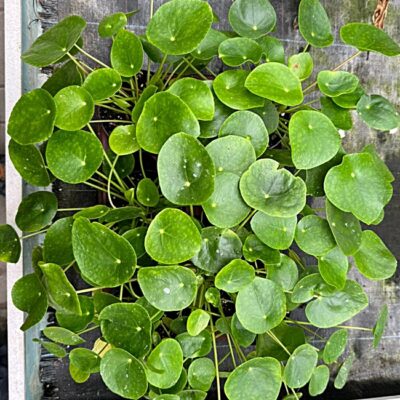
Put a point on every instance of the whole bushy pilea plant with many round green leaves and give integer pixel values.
(210, 180)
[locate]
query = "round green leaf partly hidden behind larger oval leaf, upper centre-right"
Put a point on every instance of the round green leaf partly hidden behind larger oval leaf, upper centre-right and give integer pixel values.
(229, 86)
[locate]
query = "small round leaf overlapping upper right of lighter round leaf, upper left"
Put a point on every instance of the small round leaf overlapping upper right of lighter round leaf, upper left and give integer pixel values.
(102, 83)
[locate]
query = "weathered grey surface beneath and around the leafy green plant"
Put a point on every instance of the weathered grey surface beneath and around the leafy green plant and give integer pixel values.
(376, 372)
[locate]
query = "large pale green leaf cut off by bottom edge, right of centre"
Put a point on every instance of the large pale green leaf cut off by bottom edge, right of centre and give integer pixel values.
(256, 379)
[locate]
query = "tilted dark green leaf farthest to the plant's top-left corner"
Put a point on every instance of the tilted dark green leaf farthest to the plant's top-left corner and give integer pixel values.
(55, 43)
